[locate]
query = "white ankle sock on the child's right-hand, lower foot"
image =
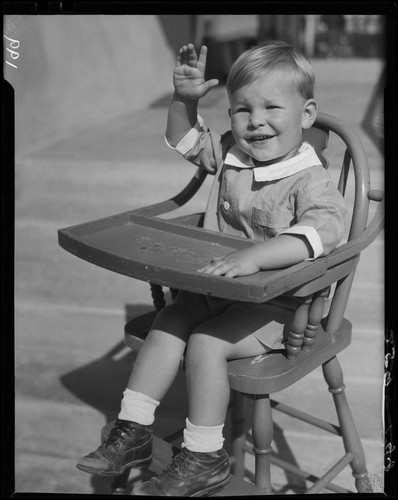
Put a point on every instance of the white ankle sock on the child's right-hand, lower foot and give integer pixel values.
(203, 438)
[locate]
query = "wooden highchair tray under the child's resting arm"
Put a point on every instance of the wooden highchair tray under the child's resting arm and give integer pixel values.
(169, 253)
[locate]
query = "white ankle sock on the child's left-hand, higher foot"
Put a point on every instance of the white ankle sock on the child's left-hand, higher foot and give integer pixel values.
(138, 407)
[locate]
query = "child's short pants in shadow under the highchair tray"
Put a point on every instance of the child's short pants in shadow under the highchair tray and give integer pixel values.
(268, 322)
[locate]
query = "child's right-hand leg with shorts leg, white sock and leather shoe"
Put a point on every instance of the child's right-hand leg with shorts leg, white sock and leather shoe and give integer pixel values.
(210, 346)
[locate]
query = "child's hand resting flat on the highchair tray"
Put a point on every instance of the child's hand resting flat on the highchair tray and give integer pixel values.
(239, 263)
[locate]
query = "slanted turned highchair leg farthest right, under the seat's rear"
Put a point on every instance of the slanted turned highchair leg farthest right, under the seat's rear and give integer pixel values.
(334, 378)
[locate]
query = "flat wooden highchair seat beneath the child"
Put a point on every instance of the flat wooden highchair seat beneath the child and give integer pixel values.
(267, 373)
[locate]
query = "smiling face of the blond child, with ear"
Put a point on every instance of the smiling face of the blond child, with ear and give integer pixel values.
(268, 116)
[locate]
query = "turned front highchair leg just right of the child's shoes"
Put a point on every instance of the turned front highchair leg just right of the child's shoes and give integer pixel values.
(262, 439)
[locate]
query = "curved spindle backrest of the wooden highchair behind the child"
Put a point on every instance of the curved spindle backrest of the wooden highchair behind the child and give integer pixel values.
(342, 262)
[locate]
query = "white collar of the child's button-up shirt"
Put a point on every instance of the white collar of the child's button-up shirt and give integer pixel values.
(306, 157)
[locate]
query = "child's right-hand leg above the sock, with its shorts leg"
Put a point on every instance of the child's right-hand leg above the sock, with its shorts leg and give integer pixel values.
(220, 339)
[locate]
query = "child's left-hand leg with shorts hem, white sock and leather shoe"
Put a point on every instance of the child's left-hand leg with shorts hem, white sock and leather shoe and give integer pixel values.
(129, 443)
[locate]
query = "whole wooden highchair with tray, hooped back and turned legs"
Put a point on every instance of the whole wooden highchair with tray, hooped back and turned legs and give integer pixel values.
(167, 253)
